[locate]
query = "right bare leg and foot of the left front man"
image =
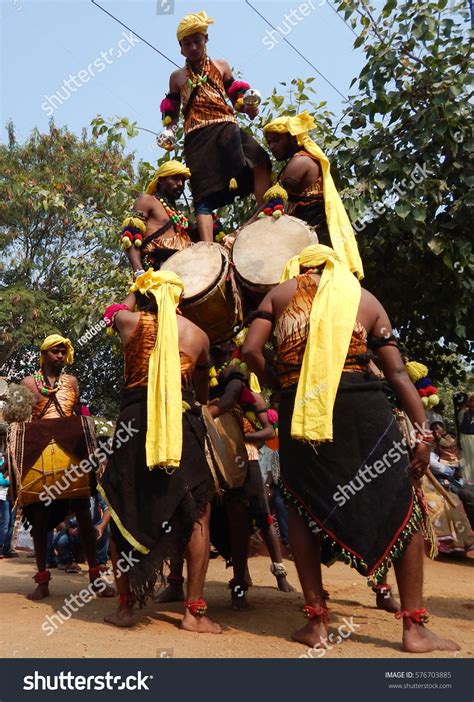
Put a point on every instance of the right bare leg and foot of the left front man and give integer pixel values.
(197, 556)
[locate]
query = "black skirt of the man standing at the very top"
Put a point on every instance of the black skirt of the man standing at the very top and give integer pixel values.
(217, 153)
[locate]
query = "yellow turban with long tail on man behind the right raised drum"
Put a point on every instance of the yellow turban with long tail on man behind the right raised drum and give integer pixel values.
(340, 229)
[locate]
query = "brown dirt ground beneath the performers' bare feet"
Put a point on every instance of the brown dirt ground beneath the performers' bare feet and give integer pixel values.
(263, 632)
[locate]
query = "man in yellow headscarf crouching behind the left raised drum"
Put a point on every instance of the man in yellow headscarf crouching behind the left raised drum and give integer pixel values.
(155, 229)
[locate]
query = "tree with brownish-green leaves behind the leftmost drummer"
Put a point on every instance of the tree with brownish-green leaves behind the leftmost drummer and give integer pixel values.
(61, 201)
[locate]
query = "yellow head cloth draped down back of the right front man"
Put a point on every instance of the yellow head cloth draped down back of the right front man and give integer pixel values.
(332, 319)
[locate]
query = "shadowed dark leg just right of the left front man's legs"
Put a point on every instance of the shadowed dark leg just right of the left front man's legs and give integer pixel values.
(239, 525)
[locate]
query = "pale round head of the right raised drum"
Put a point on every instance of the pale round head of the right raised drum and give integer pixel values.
(263, 248)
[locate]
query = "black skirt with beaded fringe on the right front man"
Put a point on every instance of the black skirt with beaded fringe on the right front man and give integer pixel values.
(355, 492)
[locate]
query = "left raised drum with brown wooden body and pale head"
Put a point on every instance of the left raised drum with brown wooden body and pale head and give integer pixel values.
(211, 299)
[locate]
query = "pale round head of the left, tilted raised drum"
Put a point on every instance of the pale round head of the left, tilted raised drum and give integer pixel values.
(199, 267)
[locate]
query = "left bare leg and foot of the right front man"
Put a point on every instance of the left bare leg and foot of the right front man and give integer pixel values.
(307, 553)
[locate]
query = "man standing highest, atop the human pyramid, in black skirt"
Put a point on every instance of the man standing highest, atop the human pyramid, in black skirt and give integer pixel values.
(225, 161)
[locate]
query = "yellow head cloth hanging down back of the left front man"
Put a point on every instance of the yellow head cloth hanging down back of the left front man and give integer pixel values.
(164, 435)
